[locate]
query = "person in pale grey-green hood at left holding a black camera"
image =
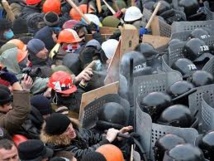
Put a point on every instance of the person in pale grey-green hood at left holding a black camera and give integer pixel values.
(15, 60)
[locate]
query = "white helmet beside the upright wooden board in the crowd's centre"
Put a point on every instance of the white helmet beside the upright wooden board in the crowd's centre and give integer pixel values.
(109, 47)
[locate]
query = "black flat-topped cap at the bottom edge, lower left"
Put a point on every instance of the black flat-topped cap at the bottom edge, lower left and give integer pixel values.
(33, 150)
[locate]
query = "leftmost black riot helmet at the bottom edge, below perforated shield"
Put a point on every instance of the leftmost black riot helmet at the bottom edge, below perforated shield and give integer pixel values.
(166, 143)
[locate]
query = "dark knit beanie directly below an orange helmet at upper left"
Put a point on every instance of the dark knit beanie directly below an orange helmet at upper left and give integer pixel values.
(51, 19)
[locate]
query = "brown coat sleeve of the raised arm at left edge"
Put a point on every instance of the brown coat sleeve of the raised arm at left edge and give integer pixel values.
(13, 119)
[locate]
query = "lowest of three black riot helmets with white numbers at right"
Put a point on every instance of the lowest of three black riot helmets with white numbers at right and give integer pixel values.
(184, 66)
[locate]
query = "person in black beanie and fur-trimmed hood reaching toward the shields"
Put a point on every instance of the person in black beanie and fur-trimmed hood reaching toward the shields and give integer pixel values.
(60, 133)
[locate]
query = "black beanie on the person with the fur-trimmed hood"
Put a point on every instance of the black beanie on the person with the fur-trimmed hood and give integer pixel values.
(56, 124)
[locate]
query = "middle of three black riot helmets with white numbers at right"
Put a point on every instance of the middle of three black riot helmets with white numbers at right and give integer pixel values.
(196, 50)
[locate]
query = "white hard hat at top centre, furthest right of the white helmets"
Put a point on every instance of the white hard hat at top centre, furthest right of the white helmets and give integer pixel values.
(132, 13)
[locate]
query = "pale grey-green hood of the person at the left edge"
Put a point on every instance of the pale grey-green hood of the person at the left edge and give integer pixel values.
(9, 59)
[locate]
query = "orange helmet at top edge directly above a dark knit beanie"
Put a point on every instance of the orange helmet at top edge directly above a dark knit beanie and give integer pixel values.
(52, 6)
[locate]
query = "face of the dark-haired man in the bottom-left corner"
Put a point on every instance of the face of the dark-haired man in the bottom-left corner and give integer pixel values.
(9, 155)
